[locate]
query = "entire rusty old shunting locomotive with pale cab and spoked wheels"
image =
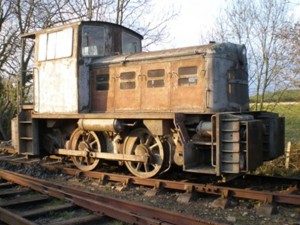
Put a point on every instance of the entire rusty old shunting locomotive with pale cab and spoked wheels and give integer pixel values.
(98, 97)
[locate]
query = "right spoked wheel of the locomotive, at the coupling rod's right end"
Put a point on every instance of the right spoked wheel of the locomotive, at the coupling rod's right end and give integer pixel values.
(141, 142)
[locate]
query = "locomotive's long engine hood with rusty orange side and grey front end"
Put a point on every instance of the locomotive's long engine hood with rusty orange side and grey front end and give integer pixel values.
(179, 80)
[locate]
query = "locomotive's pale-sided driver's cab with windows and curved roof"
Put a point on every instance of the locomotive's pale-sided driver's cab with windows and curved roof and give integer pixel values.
(62, 59)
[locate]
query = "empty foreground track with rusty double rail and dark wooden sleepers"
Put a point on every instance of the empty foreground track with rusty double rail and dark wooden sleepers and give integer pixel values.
(101, 205)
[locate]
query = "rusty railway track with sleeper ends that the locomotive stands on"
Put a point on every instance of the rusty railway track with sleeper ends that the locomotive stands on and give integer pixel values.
(247, 187)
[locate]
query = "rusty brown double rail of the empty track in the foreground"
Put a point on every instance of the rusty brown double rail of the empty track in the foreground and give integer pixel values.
(122, 210)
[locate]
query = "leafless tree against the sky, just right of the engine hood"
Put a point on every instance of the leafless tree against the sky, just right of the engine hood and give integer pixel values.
(258, 24)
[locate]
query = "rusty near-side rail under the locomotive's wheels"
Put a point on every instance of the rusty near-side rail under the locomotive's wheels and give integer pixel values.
(264, 196)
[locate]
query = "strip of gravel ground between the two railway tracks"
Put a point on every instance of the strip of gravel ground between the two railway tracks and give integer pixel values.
(237, 212)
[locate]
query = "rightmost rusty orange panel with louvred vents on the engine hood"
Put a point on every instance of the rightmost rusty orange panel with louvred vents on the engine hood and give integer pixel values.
(188, 85)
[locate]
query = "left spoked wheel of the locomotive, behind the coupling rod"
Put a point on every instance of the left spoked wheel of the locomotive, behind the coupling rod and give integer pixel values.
(85, 141)
